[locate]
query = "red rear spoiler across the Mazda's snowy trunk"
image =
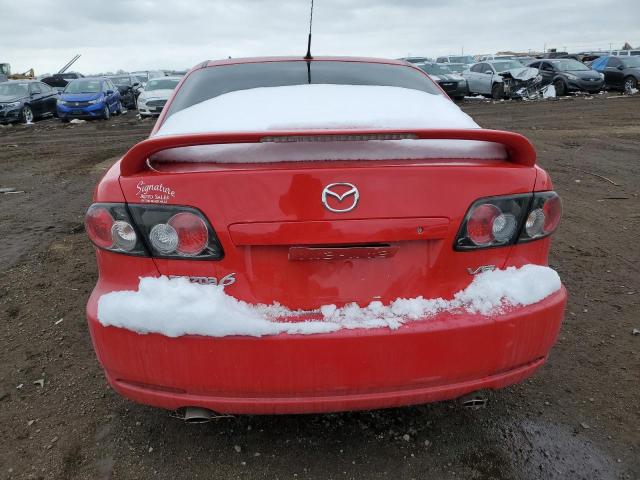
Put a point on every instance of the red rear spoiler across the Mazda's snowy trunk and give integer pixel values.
(519, 149)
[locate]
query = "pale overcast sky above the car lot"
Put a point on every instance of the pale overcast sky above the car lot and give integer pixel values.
(177, 34)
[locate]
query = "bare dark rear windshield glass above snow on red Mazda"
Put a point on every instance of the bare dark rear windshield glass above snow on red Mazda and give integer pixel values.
(212, 82)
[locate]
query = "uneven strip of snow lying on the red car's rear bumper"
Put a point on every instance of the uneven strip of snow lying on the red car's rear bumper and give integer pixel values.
(176, 307)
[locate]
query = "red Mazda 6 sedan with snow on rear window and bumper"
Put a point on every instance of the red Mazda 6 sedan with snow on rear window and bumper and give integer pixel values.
(321, 235)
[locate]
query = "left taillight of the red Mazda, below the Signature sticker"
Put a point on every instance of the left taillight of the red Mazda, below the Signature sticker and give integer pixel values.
(163, 231)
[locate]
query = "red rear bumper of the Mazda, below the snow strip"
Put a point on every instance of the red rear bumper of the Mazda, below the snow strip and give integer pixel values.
(435, 359)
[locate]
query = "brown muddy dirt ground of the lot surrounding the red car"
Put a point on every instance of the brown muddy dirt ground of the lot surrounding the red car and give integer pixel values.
(577, 418)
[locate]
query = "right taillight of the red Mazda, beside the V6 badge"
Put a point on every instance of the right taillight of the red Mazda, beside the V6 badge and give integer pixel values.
(500, 221)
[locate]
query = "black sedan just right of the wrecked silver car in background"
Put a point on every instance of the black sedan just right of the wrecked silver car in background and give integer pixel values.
(569, 75)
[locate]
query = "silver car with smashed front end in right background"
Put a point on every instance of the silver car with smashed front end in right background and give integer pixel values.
(504, 79)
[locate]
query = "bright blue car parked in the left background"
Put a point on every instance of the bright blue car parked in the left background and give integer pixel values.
(89, 98)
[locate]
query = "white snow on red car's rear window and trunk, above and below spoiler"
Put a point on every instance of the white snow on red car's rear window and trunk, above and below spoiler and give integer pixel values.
(303, 107)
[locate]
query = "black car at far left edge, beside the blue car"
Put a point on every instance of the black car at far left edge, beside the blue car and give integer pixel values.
(25, 100)
